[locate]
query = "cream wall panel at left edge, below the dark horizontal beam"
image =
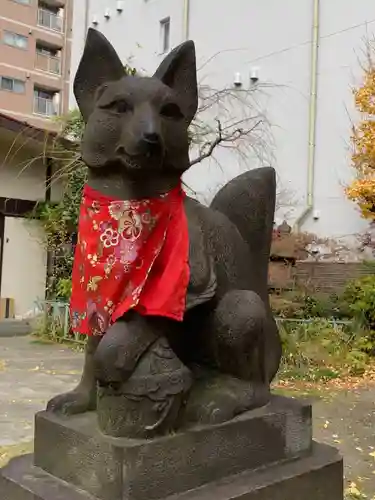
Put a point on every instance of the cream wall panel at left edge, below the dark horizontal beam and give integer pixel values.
(24, 264)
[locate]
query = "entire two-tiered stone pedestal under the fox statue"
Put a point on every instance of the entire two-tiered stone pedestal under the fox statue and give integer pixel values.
(264, 454)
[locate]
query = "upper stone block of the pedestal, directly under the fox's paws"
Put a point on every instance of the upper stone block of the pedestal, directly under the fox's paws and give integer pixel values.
(74, 450)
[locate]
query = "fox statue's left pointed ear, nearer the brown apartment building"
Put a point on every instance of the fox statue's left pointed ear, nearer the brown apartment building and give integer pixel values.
(99, 64)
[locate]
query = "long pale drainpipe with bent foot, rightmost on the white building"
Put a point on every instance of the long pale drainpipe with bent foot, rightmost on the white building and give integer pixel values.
(312, 116)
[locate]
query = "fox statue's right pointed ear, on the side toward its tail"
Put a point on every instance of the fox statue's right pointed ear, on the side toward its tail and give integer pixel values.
(179, 71)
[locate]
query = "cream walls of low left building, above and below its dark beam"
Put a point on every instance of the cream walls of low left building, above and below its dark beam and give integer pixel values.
(23, 176)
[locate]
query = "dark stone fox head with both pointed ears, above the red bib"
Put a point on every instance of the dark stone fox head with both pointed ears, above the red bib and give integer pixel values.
(136, 126)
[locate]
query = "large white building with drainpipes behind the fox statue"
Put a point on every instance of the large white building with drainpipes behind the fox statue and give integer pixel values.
(305, 57)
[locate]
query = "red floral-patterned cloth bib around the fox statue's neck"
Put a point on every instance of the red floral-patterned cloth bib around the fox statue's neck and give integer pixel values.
(129, 255)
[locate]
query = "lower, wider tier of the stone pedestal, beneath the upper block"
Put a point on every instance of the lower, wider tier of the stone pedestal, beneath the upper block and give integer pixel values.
(316, 477)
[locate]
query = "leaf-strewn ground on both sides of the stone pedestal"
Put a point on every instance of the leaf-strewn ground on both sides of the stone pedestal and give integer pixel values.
(30, 373)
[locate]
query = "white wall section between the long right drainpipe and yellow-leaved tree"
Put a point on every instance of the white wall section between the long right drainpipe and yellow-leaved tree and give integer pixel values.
(339, 70)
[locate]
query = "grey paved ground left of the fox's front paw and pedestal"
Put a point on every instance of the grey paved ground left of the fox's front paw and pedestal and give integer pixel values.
(30, 373)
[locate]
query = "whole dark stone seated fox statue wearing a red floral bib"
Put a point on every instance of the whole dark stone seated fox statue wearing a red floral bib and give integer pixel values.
(154, 267)
